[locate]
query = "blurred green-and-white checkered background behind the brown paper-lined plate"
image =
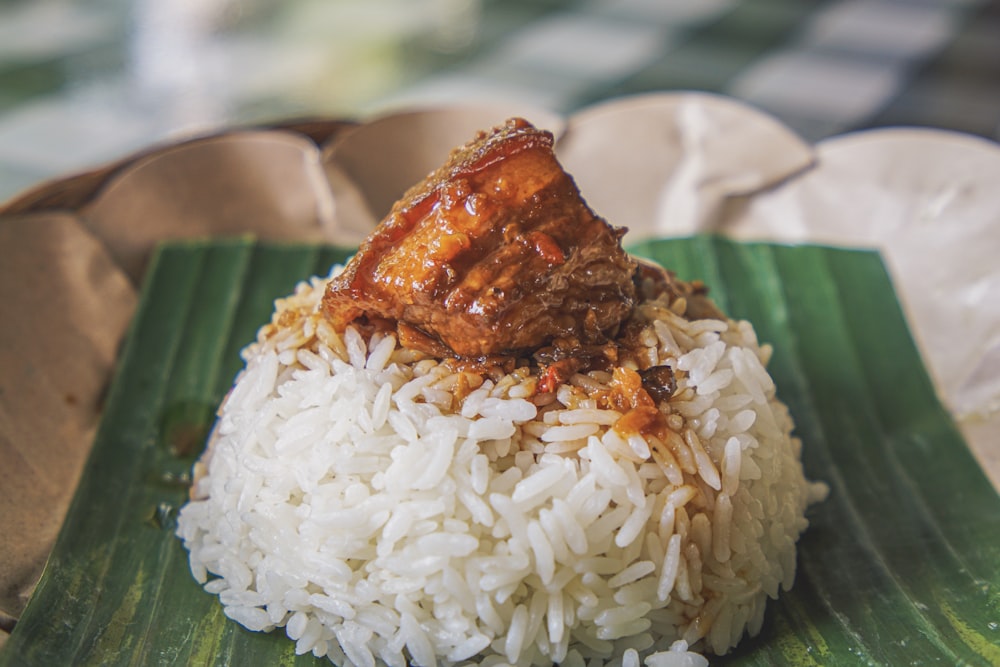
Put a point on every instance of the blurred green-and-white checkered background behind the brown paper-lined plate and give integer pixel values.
(87, 81)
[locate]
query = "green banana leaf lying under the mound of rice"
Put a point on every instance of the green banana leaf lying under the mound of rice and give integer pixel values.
(901, 565)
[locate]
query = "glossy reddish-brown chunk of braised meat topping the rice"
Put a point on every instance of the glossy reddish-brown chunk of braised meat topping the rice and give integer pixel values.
(494, 253)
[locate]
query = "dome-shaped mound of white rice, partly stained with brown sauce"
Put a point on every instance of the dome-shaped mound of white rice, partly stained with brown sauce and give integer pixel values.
(382, 507)
